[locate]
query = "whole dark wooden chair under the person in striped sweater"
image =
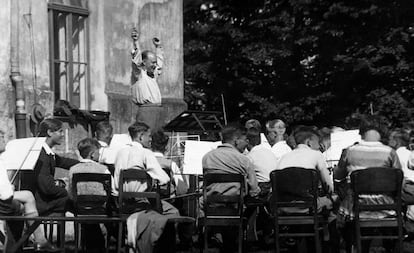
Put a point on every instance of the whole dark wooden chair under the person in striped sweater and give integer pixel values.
(377, 180)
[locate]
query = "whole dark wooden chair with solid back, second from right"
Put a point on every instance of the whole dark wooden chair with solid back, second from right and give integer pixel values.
(296, 188)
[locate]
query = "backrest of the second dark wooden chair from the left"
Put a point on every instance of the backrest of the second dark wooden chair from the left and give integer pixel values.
(128, 198)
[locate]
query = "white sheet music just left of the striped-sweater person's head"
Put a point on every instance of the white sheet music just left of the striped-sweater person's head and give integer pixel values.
(340, 141)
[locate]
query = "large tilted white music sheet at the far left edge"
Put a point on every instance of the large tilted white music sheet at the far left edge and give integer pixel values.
(22, 154)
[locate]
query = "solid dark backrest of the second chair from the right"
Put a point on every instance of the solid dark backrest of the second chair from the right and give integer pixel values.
(294, 187)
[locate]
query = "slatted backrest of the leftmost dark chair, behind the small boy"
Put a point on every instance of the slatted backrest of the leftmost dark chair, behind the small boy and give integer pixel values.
(91, 203)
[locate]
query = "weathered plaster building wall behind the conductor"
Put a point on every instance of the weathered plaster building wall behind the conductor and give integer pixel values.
(110, 24)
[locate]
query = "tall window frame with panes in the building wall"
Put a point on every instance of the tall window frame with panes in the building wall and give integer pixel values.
(70, 11)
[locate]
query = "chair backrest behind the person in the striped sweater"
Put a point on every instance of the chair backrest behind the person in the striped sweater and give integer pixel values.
(377, 180)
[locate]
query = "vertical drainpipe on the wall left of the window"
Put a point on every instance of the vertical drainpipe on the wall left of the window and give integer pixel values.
(15, 76)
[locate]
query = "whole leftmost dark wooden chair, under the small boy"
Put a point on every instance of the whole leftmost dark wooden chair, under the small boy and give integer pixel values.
(91, 205)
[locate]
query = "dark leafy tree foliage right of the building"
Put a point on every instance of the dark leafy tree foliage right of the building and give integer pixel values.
(318, 62)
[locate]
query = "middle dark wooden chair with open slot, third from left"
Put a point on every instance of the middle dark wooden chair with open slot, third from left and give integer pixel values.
(223, 210)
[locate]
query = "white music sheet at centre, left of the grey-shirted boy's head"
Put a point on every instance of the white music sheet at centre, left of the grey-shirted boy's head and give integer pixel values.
(193, 155)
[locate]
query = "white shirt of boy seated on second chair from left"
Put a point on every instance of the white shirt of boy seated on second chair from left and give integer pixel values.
(136, 156)
